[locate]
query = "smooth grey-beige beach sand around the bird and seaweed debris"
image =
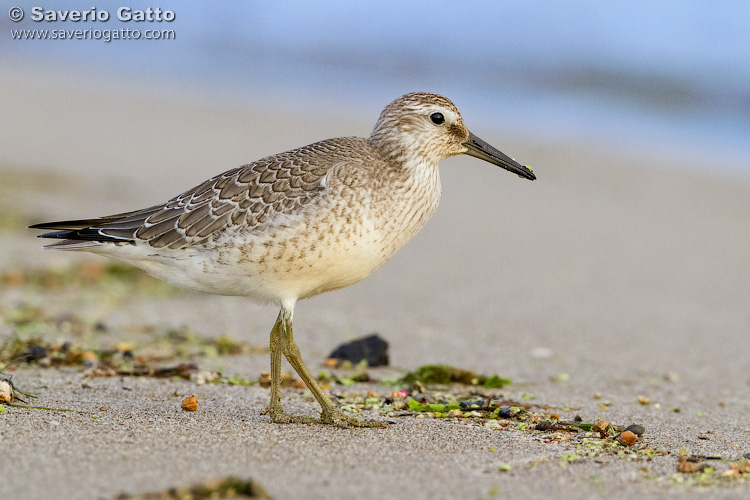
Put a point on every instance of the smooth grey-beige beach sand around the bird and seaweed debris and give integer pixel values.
(630, 268)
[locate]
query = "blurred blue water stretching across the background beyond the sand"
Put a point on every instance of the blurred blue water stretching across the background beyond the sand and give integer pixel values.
(667, 74)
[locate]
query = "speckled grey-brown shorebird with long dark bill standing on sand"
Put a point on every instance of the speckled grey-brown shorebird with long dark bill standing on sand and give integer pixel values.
(296, 224)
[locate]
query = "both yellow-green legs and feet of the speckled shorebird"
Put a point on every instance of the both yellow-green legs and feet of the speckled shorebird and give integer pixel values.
(284, 343)
